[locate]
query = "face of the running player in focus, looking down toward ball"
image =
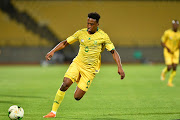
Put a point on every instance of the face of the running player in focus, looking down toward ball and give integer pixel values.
(92, 25)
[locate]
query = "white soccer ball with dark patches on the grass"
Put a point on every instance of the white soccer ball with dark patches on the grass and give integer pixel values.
(15, 112)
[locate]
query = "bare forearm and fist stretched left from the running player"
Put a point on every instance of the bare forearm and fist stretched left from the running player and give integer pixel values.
(58, 47)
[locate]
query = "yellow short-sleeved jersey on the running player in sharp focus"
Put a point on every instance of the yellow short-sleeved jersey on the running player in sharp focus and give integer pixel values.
(90, 48)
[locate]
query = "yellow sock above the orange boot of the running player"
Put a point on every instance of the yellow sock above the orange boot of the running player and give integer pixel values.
(58, 99)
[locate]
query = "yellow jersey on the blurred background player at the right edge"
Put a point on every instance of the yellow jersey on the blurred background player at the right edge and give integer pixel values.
(171, 39)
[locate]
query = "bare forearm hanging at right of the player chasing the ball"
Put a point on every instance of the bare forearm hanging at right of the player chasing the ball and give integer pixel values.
(117, 59)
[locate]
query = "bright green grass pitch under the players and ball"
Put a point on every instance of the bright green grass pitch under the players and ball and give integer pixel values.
(140, 96)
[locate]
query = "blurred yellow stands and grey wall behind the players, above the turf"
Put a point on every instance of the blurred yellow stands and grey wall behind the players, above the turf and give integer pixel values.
(30, 28)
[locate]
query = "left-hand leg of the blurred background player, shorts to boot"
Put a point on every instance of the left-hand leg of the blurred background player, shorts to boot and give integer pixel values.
(168, 62)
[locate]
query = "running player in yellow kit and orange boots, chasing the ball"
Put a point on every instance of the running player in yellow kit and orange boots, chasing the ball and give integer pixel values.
(87, 63)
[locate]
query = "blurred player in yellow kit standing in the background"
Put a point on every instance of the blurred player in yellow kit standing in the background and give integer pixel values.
(171, 44)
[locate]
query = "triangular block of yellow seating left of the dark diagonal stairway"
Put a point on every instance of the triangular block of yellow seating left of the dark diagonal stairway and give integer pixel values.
(15, 34)
